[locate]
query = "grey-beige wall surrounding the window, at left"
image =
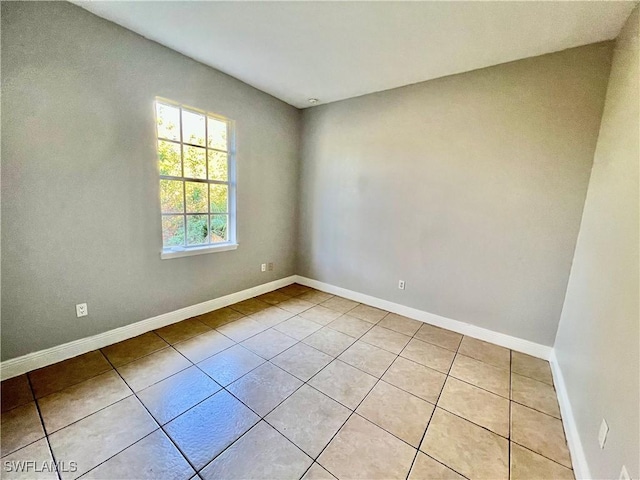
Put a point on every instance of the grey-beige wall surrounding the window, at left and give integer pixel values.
(80, 191)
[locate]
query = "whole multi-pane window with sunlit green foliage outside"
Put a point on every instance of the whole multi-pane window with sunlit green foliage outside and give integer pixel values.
(197, 180)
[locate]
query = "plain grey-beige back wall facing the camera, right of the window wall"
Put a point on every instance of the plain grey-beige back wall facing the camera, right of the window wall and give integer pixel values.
(470, 188)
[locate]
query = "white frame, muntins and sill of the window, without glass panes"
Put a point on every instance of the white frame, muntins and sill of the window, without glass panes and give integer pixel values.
(231, 243)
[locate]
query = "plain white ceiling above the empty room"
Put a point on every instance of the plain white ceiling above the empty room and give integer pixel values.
(337, 50)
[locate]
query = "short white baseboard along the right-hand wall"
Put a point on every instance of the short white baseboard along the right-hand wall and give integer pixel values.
(578, 457)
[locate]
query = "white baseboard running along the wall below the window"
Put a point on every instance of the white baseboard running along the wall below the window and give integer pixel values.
(31, 361)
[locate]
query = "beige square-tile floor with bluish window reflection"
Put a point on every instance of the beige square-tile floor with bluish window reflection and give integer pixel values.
(295, 383)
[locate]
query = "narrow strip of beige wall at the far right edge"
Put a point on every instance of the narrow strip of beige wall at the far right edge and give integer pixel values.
(598, 340)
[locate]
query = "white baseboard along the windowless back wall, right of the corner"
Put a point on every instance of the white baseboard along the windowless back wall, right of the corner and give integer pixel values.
(514, 343)
